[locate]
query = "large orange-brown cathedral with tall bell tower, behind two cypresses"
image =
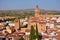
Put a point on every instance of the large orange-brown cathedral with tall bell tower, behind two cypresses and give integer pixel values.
(40, 20)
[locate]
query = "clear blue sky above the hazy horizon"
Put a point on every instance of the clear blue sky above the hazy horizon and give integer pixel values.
(29, 4)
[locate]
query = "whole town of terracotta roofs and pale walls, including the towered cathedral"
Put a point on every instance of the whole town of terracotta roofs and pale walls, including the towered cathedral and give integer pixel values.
(13, 28)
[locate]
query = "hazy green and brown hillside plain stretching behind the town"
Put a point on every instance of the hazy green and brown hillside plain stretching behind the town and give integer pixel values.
(26, 12)
